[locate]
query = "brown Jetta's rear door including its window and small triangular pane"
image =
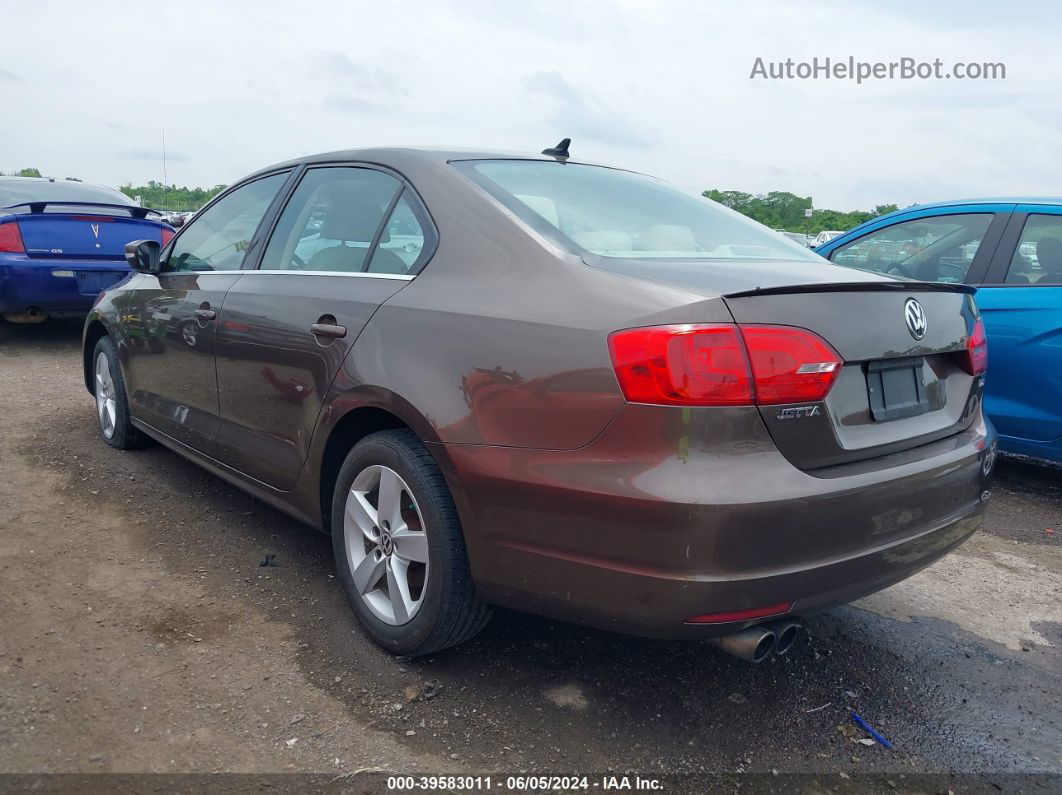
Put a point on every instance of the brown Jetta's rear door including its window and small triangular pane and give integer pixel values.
(349, 238)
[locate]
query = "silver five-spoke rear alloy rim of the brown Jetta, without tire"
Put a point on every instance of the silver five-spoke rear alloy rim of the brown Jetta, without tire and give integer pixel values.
(387, 545)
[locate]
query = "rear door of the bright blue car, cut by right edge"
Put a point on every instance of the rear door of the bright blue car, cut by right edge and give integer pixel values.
(1022, 304)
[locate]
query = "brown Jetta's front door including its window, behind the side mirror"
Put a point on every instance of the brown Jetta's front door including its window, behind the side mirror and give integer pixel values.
(172, 376)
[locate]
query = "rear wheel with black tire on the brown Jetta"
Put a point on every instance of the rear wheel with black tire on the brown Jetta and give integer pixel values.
(436, 606)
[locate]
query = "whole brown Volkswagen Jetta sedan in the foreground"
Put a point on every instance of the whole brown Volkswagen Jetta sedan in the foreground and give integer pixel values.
(556, 387)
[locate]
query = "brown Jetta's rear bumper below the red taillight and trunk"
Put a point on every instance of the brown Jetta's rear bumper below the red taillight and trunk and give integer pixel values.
(669, 516)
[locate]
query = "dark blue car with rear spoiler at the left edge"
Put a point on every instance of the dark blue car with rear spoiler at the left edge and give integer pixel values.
(63, 243)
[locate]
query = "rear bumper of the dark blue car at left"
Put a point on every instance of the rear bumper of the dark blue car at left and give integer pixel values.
(31, 284)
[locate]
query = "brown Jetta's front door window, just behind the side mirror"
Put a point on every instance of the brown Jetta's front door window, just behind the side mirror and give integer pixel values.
(218, 239)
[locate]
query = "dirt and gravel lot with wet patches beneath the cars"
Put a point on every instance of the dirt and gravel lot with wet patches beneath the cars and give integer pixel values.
(139, 633)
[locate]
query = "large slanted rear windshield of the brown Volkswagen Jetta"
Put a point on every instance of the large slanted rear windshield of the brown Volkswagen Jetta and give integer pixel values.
(618, 214)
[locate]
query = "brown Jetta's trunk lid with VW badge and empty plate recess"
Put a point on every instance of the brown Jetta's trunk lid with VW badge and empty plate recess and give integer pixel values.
(896, 390)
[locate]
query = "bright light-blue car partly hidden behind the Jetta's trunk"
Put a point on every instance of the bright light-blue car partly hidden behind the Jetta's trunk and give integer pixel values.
(1012, 251)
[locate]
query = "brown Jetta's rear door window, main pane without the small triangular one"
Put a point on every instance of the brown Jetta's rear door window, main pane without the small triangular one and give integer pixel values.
(332, 220)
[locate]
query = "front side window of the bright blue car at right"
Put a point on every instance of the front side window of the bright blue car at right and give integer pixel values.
(927, 249)
